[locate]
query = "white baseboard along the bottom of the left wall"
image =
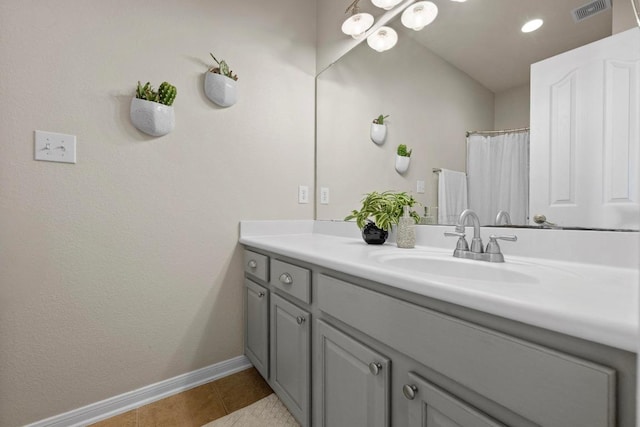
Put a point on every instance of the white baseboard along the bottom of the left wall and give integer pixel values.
(134, 399)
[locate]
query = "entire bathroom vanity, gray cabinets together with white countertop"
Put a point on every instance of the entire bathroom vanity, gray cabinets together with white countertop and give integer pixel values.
(349, 334)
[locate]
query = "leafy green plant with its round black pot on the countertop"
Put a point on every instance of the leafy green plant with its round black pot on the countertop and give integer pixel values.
(379, 212)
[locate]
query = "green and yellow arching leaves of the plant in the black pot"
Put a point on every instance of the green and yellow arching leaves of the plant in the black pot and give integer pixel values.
(385, 209)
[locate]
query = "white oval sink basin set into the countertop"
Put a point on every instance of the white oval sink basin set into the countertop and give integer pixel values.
(438, 264)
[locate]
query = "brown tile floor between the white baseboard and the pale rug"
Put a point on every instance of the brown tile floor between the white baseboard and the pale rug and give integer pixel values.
(198, 406)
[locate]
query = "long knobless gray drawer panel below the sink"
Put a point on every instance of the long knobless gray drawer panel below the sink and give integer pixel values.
(547, 387)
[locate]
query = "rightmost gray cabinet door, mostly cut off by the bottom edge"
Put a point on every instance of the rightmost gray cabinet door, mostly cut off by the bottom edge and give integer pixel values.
(430, 406)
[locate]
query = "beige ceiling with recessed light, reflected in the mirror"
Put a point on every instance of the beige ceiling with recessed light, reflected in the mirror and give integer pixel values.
(483, 37)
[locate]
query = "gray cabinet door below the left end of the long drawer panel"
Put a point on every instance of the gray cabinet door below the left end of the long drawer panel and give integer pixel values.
(354, 381)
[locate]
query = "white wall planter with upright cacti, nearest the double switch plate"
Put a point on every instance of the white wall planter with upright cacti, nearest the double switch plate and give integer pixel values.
(152, 111)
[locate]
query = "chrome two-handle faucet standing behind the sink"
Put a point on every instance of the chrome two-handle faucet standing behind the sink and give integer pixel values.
(477, 252)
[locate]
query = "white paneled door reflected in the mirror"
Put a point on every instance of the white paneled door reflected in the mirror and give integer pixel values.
(585, 134)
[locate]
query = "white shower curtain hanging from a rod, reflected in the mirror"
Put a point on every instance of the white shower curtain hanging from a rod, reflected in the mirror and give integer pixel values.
(498, 175)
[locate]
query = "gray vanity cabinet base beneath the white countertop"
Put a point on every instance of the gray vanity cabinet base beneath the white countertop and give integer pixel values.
(382, 357)
